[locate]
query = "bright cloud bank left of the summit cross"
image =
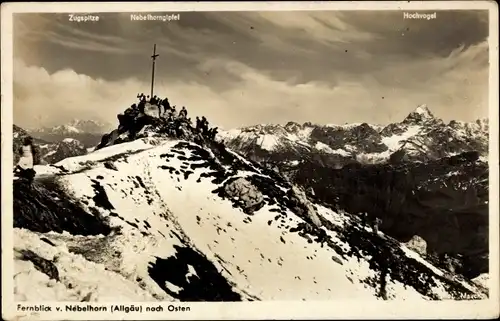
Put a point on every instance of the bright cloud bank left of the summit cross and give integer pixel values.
(41, 98)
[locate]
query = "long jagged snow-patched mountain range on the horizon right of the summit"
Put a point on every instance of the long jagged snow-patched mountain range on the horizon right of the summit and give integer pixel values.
(420, 136)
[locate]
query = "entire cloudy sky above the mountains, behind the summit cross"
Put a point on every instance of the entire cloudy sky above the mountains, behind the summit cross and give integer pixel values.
(245, 68)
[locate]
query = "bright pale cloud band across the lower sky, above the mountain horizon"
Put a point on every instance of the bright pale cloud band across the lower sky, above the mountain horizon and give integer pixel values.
(454, 87)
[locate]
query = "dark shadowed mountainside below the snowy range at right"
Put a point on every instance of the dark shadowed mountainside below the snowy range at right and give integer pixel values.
(443, 201)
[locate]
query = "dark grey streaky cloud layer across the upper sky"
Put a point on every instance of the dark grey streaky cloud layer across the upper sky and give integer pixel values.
(290, 46)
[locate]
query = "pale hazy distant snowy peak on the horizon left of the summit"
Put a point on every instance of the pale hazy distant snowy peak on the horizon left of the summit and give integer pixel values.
(88, 132)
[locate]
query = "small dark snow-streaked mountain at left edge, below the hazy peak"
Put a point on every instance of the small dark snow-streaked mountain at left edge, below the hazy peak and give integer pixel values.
(48, 152)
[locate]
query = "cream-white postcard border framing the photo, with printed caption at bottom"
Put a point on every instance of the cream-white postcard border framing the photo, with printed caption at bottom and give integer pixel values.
(254, 310)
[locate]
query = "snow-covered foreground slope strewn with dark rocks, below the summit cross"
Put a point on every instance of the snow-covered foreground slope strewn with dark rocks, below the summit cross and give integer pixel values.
(159, 218)
